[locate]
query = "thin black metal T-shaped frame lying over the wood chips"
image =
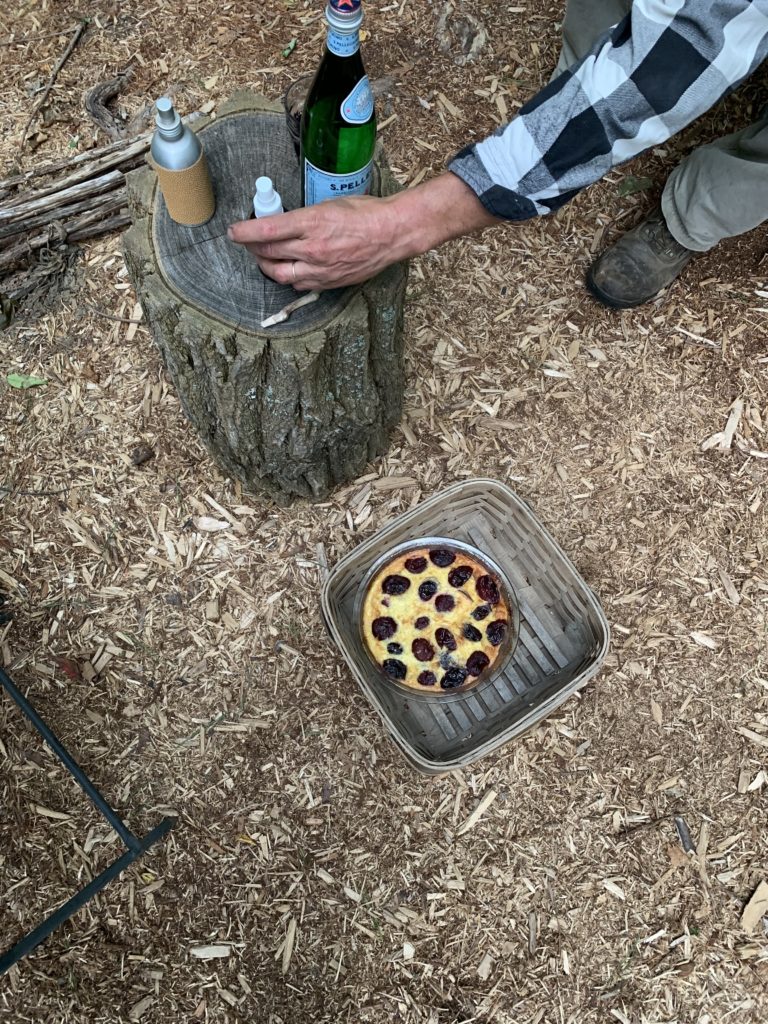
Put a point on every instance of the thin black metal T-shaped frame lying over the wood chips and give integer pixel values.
(136, 845)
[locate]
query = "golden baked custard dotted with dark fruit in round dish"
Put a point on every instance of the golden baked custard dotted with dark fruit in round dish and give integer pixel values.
(435, 619)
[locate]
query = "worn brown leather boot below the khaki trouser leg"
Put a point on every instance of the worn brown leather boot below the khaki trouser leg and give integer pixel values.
(641, 265)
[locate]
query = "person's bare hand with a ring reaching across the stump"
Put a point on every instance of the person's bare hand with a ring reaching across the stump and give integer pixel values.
(346, 241)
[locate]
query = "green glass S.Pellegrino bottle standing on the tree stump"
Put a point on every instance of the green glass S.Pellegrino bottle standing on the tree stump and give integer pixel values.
(338, 125)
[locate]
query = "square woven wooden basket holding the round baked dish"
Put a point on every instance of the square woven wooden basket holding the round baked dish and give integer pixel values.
(563, 642)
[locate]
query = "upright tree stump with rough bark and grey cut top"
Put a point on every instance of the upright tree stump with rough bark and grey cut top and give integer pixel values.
(294, 410)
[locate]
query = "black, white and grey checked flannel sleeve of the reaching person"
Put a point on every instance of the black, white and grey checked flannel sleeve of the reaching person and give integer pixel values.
(657, 71)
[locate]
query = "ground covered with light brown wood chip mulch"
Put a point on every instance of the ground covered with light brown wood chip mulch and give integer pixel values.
(167, 624)
